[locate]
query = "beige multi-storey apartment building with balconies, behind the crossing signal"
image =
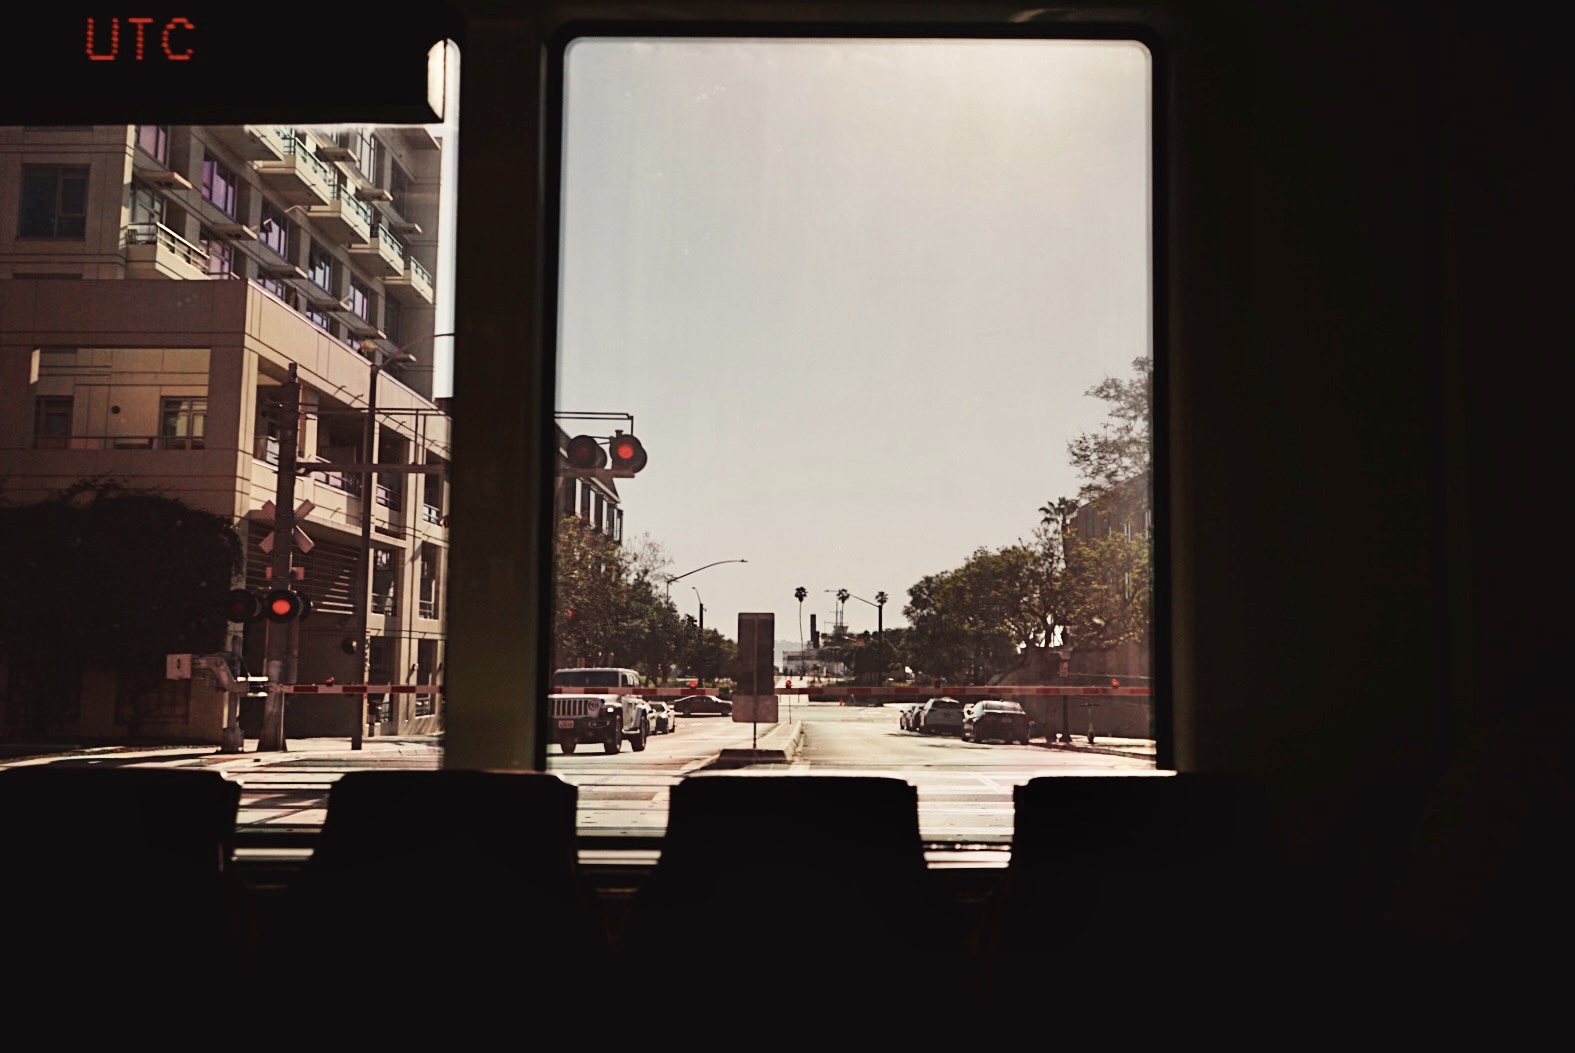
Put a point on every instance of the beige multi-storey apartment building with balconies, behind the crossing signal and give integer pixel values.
(157, 287)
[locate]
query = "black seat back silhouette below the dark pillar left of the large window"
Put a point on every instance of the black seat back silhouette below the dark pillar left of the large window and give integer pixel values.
(454, 887)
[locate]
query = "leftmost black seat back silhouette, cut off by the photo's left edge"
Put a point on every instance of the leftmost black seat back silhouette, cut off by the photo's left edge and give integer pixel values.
(119, 884)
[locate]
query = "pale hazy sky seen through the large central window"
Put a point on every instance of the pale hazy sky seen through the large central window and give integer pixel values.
(853, 294)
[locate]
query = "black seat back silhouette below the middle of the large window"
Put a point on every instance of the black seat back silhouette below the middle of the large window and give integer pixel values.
(769, 879)
